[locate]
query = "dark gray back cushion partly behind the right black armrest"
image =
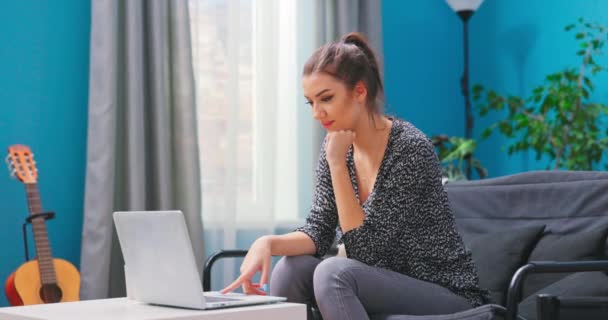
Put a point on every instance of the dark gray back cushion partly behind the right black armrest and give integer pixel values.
(569, 247)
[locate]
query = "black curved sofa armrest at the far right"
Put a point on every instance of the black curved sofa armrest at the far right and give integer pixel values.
(514, 292)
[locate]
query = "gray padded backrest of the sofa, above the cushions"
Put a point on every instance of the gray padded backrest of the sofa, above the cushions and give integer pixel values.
(565, 201)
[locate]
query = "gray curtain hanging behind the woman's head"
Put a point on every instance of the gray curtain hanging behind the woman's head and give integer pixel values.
(336, 18)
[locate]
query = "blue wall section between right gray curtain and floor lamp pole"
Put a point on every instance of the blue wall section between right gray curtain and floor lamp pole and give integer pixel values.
(422, 66)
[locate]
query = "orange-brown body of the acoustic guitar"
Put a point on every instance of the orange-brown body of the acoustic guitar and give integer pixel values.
(24, 286)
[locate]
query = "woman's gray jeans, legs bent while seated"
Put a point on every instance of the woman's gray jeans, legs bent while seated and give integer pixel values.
(344, 288)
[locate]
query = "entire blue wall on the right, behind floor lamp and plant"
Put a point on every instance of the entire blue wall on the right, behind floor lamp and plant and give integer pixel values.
(513, 45)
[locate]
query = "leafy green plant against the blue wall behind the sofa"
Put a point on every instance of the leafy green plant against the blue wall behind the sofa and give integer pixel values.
(559, 119)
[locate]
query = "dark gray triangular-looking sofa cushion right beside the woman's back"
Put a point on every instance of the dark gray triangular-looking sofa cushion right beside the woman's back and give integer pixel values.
(498, 255)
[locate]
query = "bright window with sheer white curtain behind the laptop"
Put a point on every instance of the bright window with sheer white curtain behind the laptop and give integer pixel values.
(254, 130)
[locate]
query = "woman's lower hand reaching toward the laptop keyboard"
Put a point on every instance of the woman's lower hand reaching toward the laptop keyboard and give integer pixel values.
(258, 258)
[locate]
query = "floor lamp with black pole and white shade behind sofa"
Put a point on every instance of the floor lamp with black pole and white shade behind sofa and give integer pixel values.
(465, 9)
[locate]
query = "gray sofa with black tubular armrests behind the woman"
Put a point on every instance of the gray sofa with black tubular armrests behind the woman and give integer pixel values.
(528, 233)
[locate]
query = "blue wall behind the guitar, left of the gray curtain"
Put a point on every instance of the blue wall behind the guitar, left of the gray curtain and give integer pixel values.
(44, 51)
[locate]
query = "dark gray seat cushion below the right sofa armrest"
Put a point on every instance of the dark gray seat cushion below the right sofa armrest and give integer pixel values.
(587, 284)
